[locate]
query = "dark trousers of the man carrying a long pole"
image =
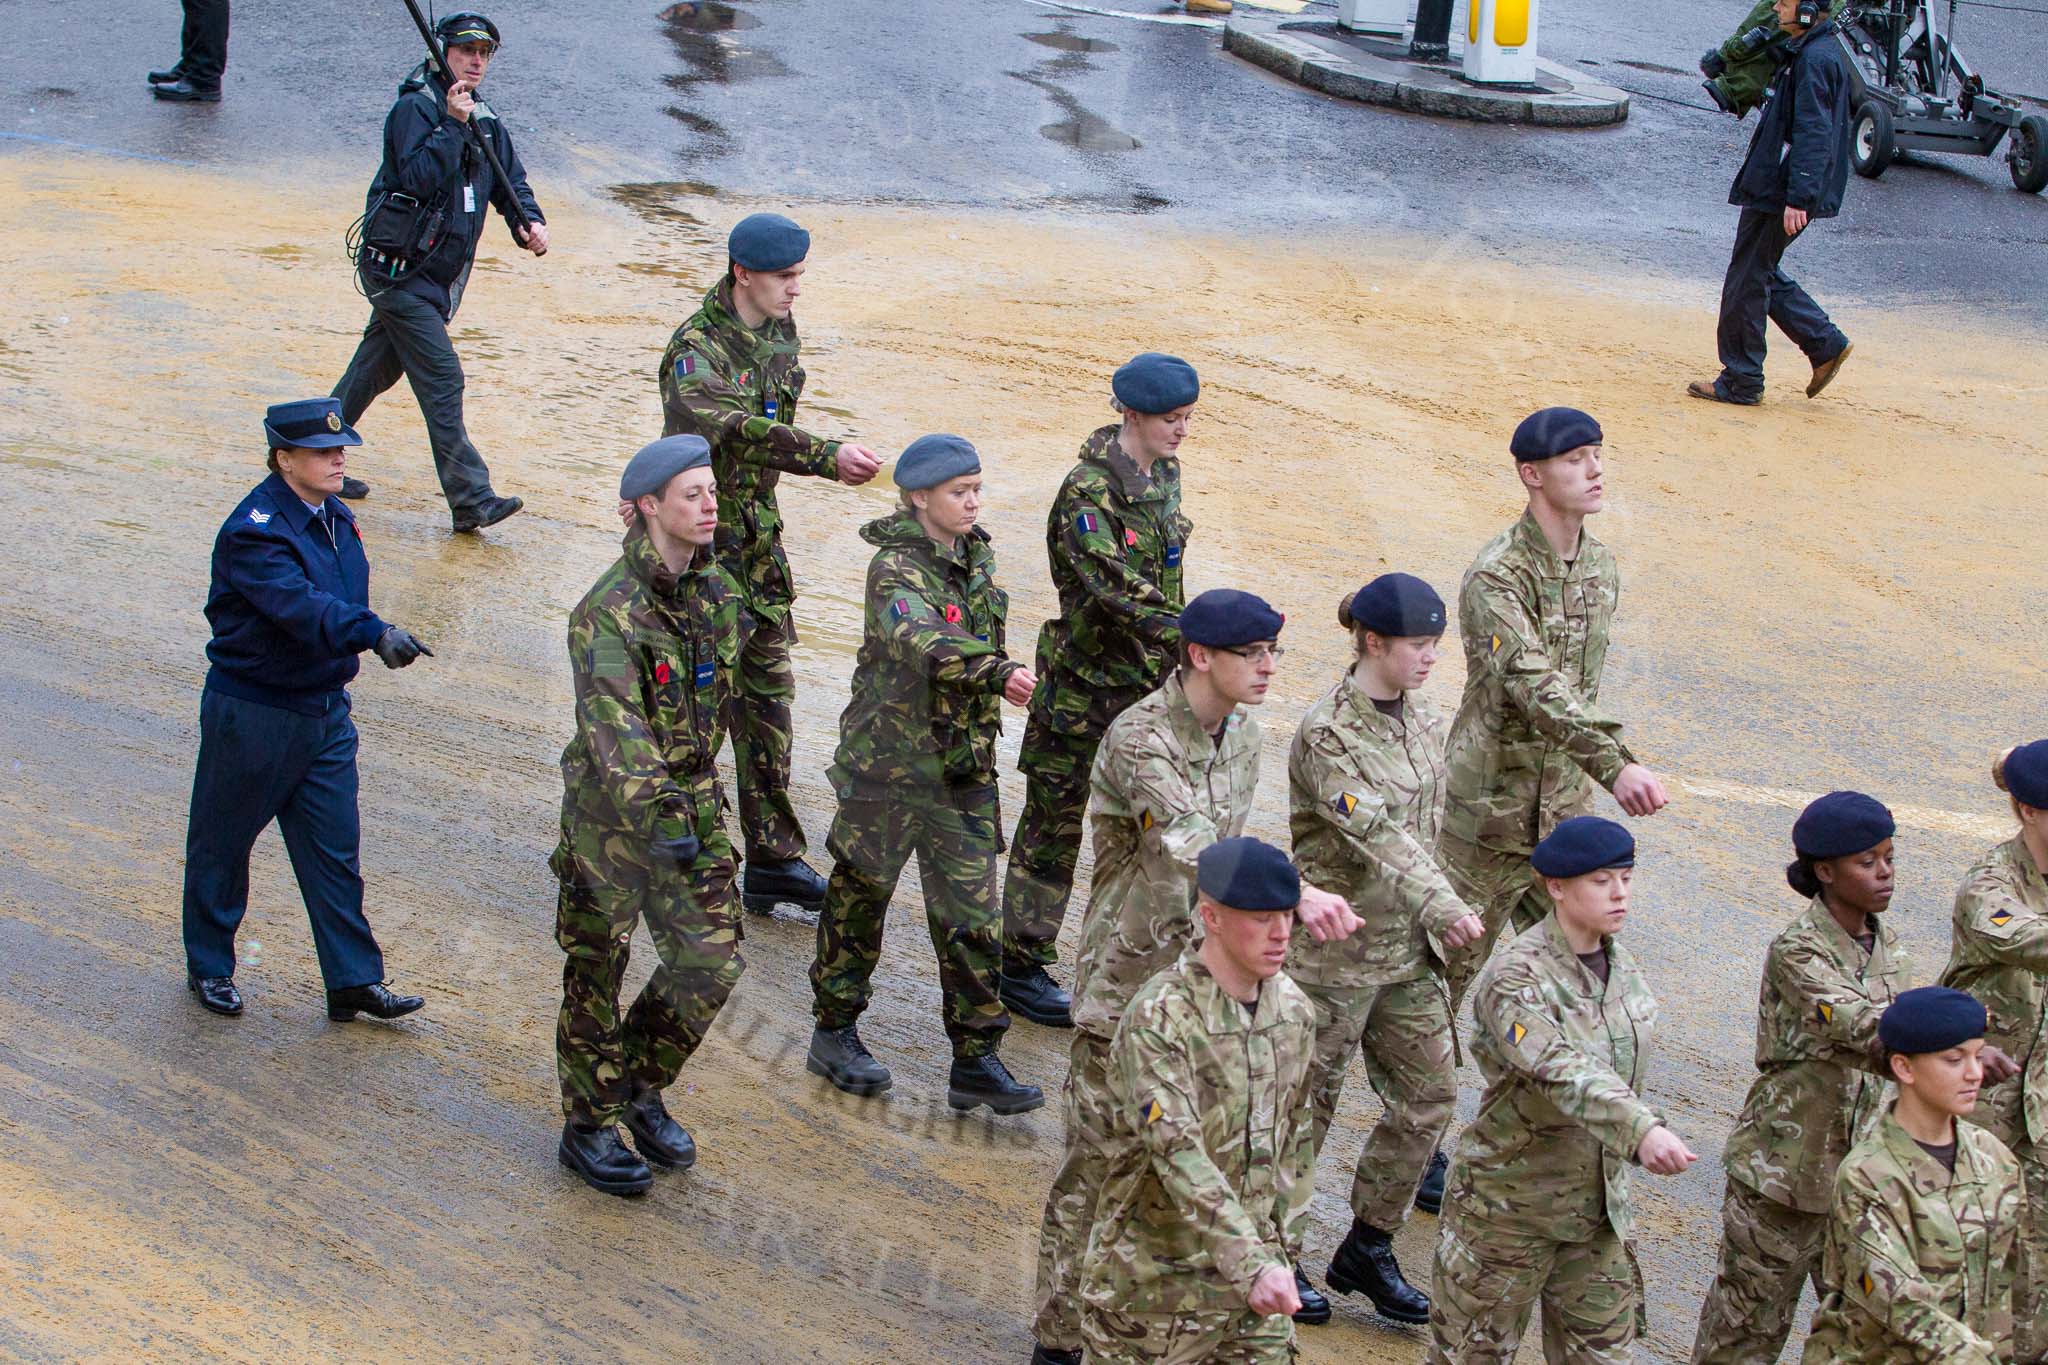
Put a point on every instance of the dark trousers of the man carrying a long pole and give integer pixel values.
(409, 337)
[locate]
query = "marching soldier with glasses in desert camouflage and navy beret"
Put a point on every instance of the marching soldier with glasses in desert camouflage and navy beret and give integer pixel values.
(1175, 775)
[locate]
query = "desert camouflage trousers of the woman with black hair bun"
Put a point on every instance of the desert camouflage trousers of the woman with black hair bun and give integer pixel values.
(1768, 1251)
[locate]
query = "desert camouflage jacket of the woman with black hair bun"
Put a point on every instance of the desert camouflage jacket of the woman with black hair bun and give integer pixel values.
(1822, 1067)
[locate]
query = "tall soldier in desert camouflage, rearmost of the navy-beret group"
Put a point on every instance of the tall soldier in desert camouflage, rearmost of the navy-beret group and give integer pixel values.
(1529, 736)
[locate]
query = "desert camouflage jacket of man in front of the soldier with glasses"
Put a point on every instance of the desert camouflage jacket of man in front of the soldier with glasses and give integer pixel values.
(1209, 1165)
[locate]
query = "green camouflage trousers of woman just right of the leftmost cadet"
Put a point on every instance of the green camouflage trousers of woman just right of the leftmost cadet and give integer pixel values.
(955, 836)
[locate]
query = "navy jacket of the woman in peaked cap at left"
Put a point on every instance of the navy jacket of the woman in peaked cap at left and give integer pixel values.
(290, 601)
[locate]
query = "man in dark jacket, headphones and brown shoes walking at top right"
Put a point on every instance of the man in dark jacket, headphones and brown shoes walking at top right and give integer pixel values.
(1795, 173)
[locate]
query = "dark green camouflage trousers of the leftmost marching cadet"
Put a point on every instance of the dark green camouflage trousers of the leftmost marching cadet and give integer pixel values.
(607, 887)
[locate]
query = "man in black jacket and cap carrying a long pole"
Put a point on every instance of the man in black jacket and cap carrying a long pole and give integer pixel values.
(433, 191)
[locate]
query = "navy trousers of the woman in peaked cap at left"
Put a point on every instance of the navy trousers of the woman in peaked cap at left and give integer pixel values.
(261, 764)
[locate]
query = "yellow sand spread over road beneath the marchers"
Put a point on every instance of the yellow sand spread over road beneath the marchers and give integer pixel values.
(1818, 595)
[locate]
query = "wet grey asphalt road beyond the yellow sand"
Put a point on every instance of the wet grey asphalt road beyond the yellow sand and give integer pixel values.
(1023, 103)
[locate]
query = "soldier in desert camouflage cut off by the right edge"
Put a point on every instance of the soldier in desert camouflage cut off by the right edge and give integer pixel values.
(2002, 957)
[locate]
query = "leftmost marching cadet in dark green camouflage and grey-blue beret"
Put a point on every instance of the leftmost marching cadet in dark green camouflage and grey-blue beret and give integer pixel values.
(652, 652)
